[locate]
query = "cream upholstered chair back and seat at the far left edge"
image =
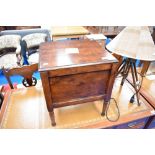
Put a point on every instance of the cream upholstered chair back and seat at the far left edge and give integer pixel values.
(10, 51)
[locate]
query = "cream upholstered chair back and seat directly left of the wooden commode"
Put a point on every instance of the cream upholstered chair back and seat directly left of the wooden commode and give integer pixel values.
(32, 42)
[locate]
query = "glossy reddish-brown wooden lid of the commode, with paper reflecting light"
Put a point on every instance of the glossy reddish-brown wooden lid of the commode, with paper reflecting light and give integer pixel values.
(72, 53)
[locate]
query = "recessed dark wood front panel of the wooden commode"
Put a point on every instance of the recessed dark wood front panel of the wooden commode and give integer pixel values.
(78, 86)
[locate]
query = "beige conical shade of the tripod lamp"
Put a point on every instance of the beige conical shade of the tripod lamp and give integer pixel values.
(134, 42)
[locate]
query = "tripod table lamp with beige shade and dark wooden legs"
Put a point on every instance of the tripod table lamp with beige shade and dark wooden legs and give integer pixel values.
(133, 43)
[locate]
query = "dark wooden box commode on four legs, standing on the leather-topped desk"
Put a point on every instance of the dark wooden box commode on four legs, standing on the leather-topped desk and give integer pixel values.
(75, 72)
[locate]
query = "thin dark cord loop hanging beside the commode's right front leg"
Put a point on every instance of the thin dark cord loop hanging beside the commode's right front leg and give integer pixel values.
(106, 111)
